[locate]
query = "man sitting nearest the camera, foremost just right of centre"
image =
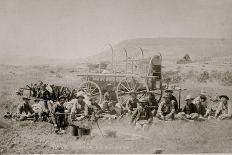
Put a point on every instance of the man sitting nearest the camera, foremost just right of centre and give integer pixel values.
(142, 114)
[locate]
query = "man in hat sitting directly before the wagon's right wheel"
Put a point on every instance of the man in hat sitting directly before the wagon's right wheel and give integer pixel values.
(132, 103)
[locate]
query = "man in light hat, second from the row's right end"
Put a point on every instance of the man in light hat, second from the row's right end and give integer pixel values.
(201, 102)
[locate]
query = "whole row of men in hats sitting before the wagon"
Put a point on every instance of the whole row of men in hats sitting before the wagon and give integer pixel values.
(143, 110)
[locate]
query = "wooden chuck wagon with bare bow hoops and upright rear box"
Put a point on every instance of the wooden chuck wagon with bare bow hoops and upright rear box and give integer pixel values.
(140, 75)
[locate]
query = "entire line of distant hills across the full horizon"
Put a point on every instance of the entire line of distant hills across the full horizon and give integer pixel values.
(171, 49)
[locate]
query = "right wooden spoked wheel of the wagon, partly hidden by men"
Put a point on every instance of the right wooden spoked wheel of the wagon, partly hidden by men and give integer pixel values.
(129, 84)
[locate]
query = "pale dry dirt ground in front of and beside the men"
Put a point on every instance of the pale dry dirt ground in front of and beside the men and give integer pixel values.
(210, 136)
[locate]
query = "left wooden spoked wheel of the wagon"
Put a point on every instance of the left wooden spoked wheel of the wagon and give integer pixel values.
(91, 89)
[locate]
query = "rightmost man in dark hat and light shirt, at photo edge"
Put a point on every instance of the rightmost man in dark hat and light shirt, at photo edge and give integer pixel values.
(224, 108)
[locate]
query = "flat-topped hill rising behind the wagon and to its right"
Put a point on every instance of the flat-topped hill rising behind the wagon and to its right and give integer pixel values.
(170, 48)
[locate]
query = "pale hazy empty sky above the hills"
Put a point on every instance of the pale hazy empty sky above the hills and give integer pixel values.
(79, 28)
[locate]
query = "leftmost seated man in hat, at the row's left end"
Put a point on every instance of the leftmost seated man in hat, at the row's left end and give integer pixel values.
(24, 110)
